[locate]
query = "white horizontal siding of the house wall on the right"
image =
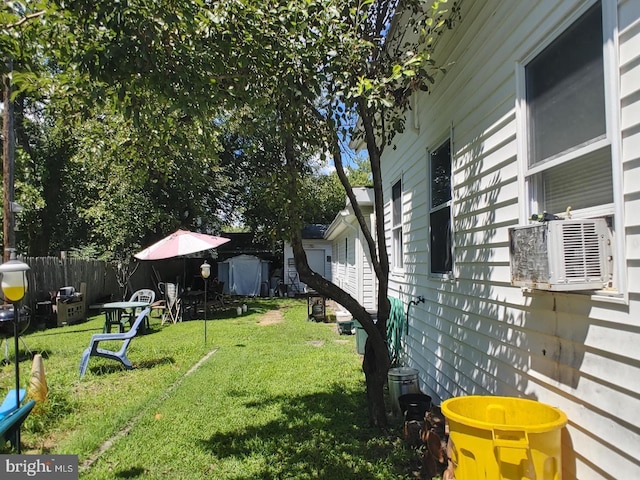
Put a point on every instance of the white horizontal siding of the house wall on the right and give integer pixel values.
(476, 334)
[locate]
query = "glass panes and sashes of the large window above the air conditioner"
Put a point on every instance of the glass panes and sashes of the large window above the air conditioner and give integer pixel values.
(569, 153)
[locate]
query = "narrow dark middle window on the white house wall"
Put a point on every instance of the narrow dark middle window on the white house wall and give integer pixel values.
(440, 247)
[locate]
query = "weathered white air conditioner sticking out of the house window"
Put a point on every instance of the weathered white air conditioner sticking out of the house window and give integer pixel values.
(560, 255)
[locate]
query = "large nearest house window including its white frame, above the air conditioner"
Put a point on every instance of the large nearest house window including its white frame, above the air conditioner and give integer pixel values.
(568, 90)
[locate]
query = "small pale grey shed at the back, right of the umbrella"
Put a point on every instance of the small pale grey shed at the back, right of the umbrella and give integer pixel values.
(244, 275)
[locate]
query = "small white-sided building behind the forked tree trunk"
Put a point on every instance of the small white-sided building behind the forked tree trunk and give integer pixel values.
(351, 265)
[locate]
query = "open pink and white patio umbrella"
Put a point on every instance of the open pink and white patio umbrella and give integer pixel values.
(180, 242)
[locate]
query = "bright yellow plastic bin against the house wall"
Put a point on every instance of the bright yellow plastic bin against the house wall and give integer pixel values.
(504, 438)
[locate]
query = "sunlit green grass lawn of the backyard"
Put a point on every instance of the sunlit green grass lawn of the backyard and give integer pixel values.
(269, 396)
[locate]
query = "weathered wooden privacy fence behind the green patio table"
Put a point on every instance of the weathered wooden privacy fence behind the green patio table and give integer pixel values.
(49, 274)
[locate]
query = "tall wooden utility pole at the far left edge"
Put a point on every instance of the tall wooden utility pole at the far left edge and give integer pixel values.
(8, 162)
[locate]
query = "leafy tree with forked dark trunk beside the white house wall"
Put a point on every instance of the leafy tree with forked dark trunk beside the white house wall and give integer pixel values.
(292, 76)
